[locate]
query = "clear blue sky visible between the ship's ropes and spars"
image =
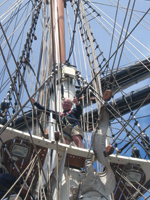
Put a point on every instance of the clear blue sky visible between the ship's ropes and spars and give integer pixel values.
(102, 32)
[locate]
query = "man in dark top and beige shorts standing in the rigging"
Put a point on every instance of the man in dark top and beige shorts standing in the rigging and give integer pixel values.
(68, 119)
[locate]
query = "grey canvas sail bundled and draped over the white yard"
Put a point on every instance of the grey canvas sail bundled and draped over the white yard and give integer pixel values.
(97, 185)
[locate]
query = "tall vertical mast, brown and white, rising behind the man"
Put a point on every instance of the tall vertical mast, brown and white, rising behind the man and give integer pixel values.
(64, 77)
